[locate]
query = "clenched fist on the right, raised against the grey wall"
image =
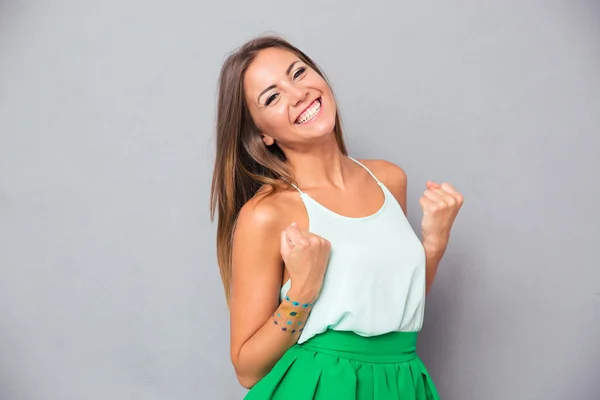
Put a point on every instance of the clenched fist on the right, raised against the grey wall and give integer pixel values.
(440, 204)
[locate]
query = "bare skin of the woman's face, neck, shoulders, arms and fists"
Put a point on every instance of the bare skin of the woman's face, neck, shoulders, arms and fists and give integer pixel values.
(272, 242)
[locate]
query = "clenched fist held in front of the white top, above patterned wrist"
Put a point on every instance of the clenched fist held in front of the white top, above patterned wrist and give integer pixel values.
(305, 256)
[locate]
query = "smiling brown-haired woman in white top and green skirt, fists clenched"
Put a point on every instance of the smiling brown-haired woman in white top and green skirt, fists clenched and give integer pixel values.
(324, 277)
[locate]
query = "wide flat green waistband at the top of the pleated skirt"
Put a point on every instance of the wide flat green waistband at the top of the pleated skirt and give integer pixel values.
(391, 347)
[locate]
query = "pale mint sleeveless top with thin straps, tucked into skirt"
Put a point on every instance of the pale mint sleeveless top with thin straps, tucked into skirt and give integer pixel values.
(375, 278)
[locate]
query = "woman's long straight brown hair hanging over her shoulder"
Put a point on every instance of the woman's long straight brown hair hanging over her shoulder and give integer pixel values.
(243, 162)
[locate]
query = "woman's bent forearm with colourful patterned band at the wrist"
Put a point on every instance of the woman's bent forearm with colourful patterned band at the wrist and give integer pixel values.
(280, 332)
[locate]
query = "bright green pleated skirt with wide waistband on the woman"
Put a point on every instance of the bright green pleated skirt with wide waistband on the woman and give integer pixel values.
(345, 366)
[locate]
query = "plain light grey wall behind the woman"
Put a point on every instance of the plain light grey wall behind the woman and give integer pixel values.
(109, 287)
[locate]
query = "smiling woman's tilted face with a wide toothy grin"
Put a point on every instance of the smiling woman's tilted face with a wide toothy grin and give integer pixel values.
(289, 101)
